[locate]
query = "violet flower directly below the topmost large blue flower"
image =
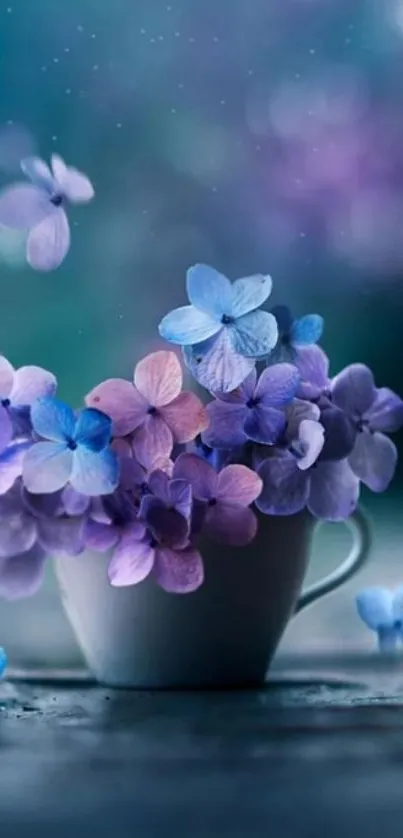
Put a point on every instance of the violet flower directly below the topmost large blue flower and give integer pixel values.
(255, 411)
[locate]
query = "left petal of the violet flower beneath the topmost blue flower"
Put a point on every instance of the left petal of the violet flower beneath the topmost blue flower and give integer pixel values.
(226, 426)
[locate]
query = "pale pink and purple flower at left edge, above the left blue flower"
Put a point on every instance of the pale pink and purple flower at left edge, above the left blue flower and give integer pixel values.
(18, 390)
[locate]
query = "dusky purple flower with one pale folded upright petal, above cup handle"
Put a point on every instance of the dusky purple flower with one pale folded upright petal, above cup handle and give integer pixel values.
(294, 479)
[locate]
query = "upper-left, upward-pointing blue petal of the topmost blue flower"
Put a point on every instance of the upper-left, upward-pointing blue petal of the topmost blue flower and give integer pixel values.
(209, 291)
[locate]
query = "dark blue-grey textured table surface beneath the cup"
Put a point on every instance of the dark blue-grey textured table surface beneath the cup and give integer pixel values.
(318, 751)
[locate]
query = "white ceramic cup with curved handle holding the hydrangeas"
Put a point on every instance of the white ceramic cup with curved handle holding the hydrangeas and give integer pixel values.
(222, 635)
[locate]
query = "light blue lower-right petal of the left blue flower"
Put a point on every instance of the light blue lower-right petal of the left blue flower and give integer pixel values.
(95, 472)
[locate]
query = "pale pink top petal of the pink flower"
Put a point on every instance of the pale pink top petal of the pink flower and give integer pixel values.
(158, 377)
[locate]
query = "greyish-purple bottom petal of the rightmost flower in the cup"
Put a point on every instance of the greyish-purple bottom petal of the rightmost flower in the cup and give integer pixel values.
(373, 459)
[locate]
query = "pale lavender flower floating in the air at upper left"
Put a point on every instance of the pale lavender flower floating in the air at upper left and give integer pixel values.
(39, 208)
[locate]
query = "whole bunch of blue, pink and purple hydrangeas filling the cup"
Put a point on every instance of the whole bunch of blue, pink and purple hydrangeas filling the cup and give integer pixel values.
(145, 468)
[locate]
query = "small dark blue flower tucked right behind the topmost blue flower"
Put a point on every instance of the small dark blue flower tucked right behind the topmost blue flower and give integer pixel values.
(292, 334)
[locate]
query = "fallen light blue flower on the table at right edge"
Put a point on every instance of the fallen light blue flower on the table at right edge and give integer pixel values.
(382, 611)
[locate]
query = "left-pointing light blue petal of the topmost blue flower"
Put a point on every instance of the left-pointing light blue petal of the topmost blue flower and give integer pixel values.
(188, 325)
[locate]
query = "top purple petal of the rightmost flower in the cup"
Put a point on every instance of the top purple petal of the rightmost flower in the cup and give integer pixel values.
(353, 390)
